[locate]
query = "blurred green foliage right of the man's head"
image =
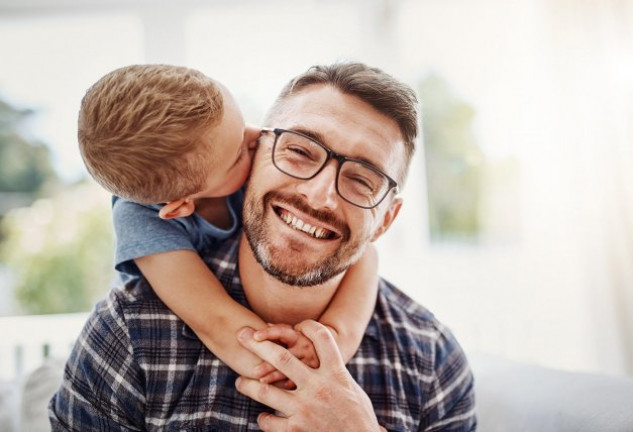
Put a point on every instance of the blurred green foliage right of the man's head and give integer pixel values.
(453, 163)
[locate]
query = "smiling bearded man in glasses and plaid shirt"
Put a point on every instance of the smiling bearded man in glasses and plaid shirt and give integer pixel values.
(341, 142)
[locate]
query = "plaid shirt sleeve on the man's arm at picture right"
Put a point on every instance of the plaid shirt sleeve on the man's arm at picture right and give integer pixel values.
(450, 406)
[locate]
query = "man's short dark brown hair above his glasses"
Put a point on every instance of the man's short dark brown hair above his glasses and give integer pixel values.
(384, 93)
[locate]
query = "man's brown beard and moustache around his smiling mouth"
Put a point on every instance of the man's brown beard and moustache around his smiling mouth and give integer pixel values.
(280, 263)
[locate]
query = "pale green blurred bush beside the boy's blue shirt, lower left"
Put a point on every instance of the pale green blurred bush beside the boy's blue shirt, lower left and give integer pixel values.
(60, 250)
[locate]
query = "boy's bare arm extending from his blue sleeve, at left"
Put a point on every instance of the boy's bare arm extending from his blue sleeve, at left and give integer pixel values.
(183, 281)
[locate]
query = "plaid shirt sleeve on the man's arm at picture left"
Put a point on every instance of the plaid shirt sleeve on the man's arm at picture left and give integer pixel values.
(102, 385)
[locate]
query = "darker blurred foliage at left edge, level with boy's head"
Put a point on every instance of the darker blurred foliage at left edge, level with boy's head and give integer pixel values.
(24, 165)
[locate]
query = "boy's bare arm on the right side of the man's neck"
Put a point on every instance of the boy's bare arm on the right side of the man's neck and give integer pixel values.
(349, 312)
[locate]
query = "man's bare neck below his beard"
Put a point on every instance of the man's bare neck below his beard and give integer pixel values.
(276, 302)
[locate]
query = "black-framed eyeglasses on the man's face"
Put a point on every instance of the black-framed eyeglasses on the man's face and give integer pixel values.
(357, 182)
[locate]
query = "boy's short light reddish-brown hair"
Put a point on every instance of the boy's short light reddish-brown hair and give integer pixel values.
(140, 130)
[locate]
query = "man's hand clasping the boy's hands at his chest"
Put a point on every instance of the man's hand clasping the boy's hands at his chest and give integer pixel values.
(326, 398)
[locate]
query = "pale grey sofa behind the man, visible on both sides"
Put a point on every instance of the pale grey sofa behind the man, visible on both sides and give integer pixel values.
(511, 397)
